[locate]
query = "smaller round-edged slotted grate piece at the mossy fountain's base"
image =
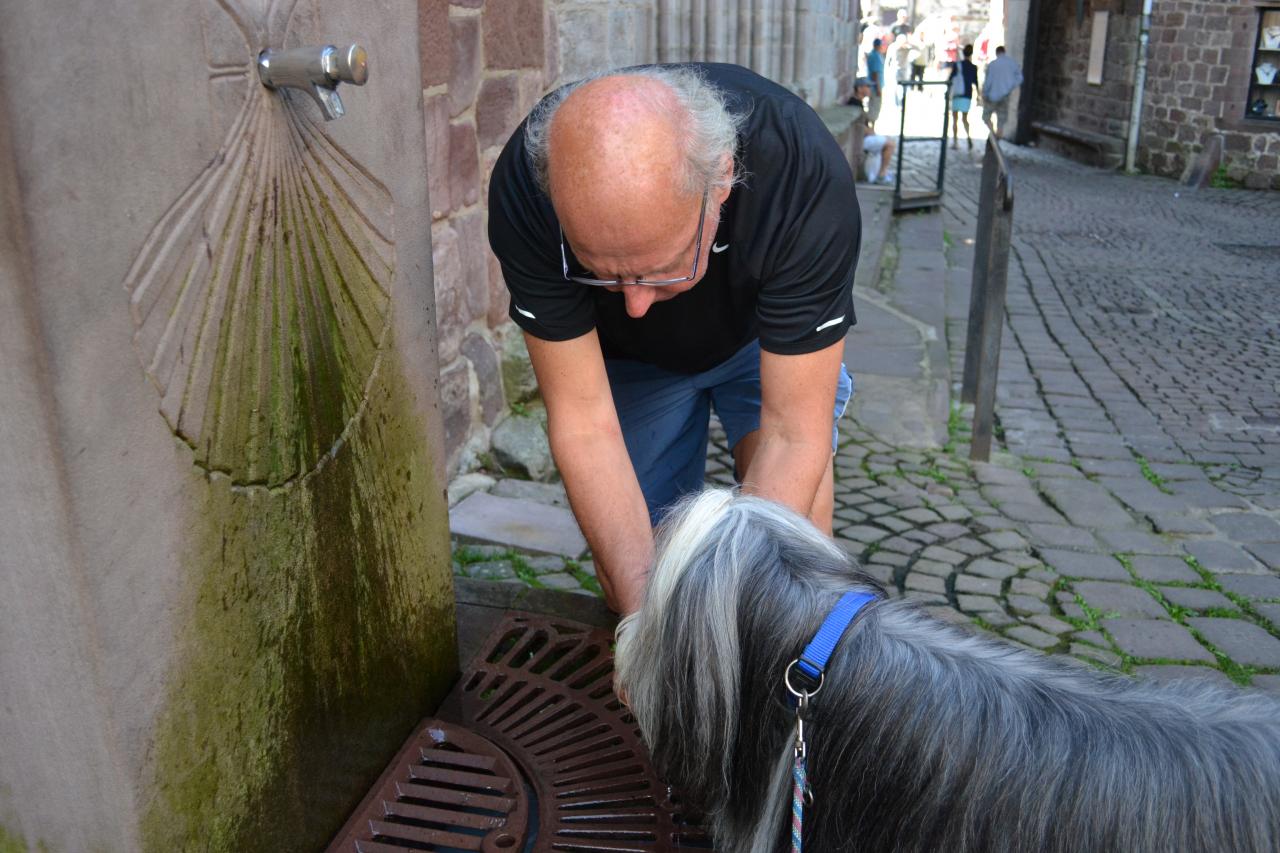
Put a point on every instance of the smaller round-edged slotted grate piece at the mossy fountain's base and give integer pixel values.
(449, 790)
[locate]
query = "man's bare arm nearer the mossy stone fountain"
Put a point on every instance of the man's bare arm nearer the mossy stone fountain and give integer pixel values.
(587, 443)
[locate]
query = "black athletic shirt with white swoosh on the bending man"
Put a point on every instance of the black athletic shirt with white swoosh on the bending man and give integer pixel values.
(793, 232)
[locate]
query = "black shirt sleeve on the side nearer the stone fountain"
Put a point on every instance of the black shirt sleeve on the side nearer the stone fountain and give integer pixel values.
(525, 236)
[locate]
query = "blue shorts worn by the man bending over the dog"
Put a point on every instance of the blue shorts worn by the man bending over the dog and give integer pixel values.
(665, 418)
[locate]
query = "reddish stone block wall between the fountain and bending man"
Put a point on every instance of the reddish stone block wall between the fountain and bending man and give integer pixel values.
(486, 63)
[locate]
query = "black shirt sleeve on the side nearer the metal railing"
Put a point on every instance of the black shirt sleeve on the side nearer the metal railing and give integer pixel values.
(807, 290)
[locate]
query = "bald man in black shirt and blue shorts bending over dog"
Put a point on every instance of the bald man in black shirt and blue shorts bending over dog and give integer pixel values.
(679, 238)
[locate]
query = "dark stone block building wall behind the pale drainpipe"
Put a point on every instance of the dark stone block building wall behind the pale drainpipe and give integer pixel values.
(1197, 81)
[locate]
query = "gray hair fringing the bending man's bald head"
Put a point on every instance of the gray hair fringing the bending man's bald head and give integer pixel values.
(711, 130)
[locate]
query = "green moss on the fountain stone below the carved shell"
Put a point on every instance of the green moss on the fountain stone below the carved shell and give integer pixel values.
(321, 631)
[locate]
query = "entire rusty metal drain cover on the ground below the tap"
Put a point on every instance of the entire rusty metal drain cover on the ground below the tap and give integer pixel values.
(541, 694)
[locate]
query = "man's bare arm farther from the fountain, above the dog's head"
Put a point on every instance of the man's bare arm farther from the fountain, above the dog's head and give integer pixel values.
(793, 449)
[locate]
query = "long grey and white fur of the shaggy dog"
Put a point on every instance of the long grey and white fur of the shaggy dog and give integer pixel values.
(925, 737)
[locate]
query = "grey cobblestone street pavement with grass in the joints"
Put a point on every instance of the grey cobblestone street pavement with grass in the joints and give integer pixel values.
(1131, 517)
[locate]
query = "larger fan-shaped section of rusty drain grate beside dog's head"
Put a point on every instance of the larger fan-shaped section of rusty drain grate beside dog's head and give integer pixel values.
(543, 691)
